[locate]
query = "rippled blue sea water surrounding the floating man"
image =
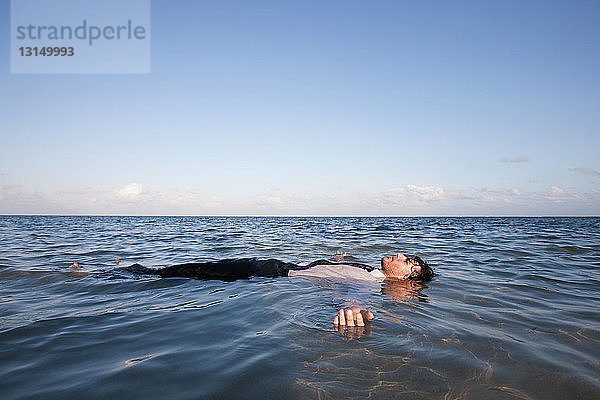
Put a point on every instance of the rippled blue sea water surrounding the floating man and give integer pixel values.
(512, 313)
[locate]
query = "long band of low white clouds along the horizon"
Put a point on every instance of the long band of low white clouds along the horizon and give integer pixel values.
(137, 199)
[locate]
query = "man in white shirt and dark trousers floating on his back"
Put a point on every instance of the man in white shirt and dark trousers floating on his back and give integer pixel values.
(395, 268)
